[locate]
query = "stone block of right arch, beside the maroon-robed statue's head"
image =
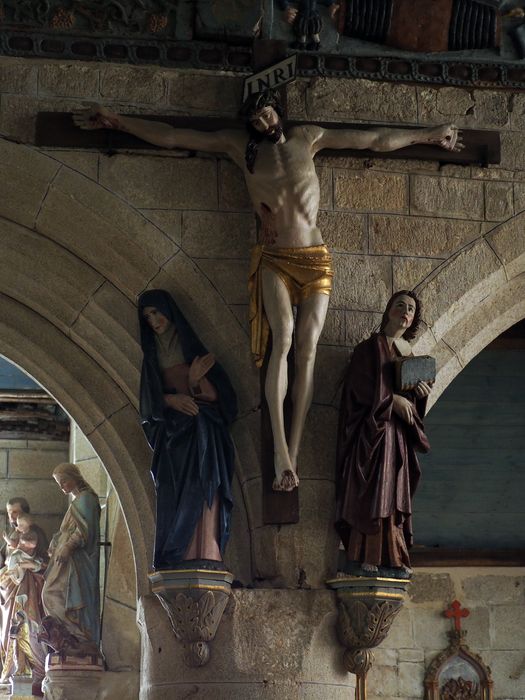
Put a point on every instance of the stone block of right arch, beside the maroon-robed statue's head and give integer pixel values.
(469, 276)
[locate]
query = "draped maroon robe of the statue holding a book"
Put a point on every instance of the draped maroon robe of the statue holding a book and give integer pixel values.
(378, 470)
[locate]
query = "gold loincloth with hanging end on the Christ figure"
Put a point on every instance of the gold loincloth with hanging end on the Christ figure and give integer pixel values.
(304, 271)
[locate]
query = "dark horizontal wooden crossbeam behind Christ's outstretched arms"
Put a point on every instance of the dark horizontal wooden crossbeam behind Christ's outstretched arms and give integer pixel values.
(57, 130)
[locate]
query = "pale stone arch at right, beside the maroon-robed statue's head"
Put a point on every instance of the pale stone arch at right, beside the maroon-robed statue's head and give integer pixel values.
(473, 297)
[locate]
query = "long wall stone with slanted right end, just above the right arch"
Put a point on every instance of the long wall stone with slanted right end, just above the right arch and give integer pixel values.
(419, 236)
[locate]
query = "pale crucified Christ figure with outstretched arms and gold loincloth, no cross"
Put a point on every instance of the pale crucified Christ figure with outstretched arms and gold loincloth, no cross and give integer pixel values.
(291, 266)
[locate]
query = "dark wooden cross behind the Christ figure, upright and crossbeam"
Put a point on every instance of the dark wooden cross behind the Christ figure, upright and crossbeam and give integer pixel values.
(55, 129)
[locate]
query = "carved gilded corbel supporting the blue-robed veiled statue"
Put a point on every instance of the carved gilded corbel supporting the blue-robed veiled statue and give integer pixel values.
(194, 600)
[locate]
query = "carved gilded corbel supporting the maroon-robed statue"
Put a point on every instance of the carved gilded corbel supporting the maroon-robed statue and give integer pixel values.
(367, 606)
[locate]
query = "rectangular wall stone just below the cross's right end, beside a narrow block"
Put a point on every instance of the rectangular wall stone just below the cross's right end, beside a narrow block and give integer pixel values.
(446, 196)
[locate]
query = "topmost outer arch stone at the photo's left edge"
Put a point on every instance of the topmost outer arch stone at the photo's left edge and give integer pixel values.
(25, 175)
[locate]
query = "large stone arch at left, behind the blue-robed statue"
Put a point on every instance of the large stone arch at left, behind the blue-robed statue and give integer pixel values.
(75, 256)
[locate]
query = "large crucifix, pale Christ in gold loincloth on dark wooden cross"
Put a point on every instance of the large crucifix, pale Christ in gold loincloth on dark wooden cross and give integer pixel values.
(291, 266)
